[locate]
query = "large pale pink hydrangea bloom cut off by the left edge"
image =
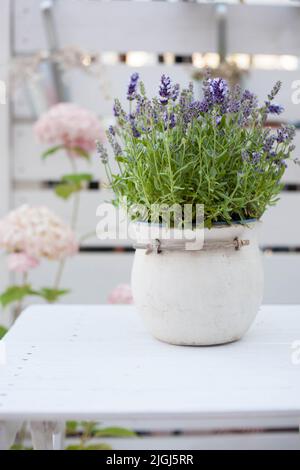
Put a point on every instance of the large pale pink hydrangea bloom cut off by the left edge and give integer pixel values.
(37, 232)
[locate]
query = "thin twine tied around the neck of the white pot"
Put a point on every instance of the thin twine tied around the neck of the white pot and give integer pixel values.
(158, 246)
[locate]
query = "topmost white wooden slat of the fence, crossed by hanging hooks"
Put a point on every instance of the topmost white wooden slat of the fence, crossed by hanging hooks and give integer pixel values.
(159, 26)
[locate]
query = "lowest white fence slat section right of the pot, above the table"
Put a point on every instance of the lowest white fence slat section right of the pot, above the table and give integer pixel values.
(282, 272)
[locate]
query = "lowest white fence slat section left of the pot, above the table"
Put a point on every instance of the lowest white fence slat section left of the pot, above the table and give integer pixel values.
(103, 272)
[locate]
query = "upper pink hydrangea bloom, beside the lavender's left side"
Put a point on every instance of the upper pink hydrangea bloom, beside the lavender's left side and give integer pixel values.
(69, 125)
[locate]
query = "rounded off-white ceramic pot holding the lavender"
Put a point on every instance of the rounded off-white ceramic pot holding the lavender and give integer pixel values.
(204, 297)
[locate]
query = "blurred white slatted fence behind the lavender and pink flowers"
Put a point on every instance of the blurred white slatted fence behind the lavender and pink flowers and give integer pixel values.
(84, 51)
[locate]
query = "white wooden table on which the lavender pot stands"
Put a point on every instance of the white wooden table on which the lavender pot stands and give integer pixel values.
(99, 363)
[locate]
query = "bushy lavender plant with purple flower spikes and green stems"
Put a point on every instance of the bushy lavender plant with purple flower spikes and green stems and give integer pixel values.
(218, 151)
